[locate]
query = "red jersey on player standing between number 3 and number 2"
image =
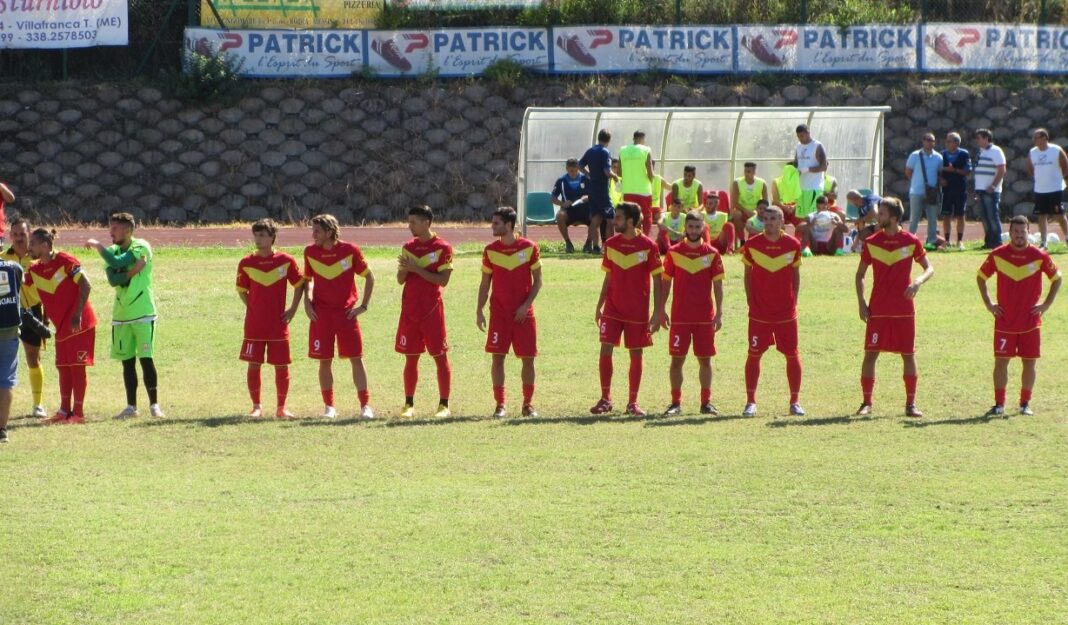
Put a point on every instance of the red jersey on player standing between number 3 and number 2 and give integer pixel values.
(631, 263)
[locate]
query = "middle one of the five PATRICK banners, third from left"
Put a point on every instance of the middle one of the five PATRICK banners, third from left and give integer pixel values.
(606, 50)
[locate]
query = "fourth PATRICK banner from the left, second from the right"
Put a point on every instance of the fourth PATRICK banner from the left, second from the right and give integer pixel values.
(827, 50)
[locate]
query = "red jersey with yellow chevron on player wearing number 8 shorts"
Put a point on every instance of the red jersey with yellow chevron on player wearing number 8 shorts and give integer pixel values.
(891, 258)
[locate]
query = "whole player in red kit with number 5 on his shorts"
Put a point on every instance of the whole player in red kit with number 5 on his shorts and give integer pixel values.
(773, 280)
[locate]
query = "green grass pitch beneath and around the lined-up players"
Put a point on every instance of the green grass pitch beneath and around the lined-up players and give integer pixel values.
(207, 518)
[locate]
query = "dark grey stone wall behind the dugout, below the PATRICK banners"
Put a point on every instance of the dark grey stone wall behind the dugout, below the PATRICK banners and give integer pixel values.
(367, 151)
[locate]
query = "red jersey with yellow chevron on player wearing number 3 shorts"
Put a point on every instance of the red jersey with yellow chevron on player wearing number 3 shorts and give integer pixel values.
(512, 269)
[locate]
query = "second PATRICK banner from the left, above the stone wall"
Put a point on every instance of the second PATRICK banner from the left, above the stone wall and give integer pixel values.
(457, 52)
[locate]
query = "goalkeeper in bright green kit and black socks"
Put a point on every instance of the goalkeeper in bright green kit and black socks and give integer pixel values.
(130, 264)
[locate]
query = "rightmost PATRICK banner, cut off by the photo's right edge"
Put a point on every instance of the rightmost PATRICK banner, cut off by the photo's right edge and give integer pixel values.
(995, 48)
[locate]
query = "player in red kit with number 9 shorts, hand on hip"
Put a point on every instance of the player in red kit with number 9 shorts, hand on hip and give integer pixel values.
(332, 267)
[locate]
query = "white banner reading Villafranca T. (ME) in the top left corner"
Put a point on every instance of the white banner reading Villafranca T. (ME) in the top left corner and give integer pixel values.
(73, 24)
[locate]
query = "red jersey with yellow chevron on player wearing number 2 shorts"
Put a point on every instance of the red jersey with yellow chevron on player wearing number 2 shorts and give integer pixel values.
(694, 270)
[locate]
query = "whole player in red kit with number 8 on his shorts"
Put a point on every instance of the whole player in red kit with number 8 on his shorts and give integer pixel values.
(891, 312)
